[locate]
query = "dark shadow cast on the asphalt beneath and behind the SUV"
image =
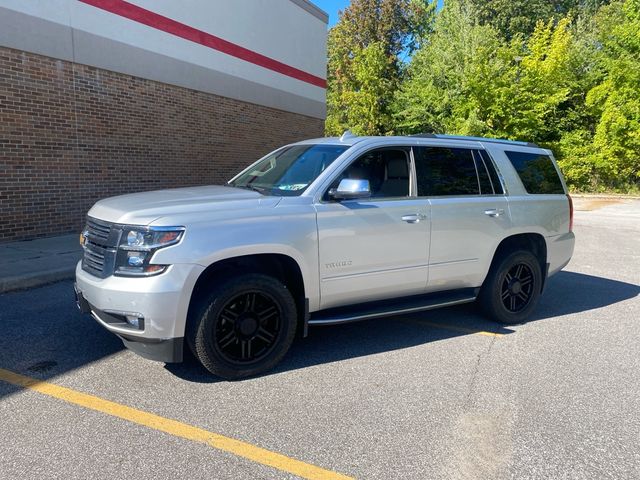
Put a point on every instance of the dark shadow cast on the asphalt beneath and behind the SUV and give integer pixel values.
(566, 293)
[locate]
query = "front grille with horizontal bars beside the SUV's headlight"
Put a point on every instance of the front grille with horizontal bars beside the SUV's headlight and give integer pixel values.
(100, 247)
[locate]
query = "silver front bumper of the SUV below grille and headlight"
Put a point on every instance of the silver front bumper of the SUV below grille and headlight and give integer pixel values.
(159, 304)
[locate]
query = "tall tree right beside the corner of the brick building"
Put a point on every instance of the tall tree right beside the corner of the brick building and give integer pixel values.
(365, 51)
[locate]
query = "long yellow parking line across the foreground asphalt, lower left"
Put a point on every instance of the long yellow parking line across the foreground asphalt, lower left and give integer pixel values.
(172, 427)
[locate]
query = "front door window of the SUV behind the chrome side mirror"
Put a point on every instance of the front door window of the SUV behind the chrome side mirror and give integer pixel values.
(386, 169)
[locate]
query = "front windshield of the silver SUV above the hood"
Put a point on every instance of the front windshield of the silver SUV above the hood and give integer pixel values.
(289, 171)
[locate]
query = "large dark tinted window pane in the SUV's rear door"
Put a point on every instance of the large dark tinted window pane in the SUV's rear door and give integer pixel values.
(445, 171)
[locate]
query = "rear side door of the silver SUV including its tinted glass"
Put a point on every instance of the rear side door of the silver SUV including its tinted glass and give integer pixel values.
(469, 213)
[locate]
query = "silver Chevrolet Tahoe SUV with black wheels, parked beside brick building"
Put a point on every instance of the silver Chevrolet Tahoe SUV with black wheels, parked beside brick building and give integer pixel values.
(321, 232)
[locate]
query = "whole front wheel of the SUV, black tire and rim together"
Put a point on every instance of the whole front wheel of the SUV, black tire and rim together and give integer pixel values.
(244, 327)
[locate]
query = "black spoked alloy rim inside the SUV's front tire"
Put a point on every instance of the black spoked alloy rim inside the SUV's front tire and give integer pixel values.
(248, 326)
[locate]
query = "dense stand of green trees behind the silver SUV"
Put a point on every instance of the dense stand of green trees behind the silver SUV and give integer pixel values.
(565, 75)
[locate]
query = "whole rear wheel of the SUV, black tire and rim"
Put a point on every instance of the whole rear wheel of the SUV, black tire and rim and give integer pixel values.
(512, 289)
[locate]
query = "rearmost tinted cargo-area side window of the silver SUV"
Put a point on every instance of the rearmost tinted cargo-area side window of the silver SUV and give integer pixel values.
(537, 172)
